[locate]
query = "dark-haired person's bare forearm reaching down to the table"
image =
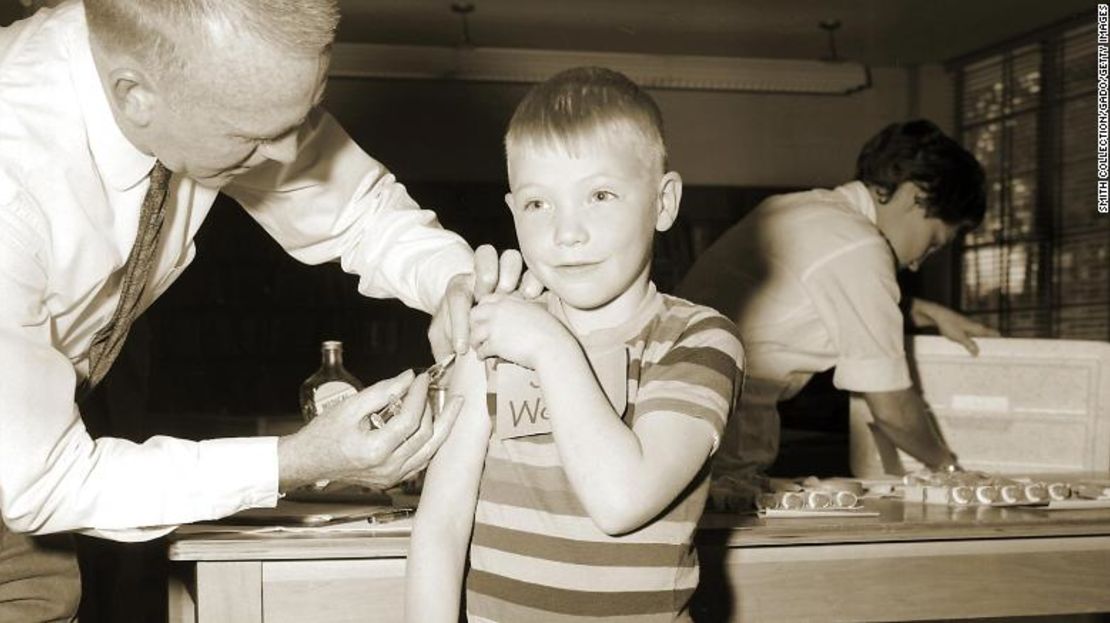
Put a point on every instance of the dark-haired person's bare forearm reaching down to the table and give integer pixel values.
(904, 417)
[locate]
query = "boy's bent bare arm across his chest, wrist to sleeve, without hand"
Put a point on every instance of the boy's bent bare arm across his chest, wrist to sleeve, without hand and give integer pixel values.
(624, 477)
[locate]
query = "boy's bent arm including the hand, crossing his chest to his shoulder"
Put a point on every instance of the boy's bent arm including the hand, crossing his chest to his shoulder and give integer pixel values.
(623, 477)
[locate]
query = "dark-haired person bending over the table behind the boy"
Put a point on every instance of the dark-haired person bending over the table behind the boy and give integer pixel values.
(810, 278)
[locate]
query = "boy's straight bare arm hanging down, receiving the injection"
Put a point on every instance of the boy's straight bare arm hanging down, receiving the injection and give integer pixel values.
(446, 515)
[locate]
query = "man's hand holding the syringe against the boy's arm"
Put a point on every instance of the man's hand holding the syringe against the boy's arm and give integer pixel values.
(341, 445)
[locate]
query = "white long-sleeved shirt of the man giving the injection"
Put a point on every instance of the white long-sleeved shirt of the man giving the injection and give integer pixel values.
(72, 187)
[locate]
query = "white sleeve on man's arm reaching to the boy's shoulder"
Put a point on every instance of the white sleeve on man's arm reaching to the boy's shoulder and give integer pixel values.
(336, 203)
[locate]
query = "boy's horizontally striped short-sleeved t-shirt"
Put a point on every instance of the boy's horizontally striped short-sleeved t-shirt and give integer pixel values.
(537, 556)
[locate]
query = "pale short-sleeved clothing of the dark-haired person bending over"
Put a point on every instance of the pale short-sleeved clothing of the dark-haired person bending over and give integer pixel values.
(812, 285)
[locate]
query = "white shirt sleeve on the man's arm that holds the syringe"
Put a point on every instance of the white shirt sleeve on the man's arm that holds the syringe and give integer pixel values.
(54, 477)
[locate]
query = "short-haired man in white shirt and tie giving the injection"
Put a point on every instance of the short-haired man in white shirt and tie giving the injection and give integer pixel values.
(120, 122)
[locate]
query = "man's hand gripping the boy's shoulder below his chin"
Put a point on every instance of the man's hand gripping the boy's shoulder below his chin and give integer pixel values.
(450, 329)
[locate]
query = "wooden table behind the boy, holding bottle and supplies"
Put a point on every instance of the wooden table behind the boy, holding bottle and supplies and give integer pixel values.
(912, 562)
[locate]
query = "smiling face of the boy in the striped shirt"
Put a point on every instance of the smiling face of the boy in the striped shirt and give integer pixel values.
(586, 222)
